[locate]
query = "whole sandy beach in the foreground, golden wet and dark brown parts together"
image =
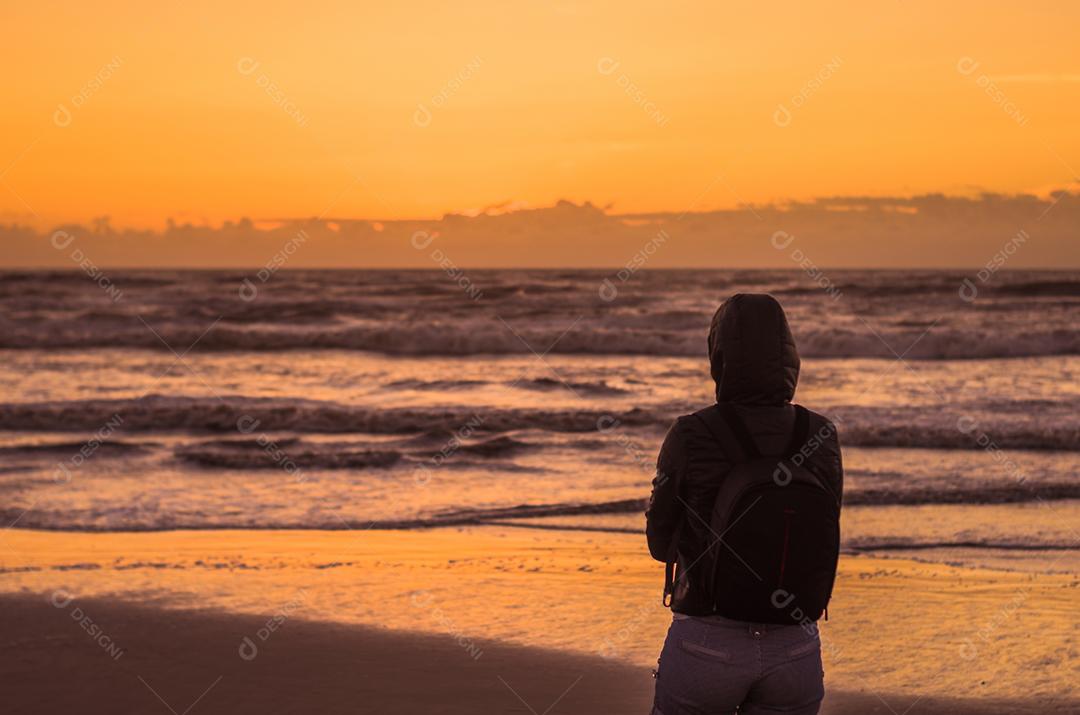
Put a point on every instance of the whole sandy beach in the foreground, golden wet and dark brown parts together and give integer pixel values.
(343, 614)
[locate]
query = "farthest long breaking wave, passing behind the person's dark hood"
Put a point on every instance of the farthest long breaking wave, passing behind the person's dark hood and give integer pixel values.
(477, 338)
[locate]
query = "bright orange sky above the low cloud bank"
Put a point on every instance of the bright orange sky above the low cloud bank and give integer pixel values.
(167, 114)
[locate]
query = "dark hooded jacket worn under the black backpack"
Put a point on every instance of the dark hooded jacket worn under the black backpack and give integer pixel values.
(755, 367)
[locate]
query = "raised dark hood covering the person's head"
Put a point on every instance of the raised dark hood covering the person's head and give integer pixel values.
(752, 352)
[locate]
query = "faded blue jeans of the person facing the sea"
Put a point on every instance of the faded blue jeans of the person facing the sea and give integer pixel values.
(714, 666)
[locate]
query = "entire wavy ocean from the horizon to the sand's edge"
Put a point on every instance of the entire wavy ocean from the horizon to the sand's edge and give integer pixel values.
(357, 400)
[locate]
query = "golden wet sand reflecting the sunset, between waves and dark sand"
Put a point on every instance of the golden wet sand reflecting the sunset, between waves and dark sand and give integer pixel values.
(920, 630)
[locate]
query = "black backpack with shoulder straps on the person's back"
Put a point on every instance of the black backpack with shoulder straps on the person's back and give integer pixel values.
(775, 532)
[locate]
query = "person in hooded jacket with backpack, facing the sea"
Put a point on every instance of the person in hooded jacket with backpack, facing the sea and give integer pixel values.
(746, 512)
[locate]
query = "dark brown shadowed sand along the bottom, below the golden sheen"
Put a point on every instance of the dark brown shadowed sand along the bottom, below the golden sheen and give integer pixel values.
(199, 663)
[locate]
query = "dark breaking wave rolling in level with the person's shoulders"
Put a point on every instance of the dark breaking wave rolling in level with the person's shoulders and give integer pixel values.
(866, 427)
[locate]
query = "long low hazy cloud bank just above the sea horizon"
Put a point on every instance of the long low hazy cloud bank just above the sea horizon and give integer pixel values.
(928, 232)
